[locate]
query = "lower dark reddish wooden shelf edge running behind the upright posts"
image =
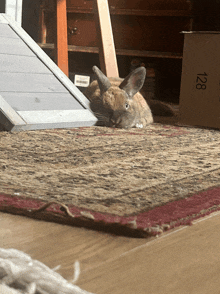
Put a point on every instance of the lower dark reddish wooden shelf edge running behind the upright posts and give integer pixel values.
(141, 53)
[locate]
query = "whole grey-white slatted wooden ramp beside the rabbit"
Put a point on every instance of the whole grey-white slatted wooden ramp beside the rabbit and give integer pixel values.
(34, 92)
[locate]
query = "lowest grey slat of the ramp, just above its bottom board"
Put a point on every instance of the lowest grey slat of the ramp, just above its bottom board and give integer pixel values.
(41, 101)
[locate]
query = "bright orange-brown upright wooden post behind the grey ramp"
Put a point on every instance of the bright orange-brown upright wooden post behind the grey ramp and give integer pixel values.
(62, 41)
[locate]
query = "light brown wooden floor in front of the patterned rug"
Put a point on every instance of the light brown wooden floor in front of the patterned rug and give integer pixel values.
(183, 261)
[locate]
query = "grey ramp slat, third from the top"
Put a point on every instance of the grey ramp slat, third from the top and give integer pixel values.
(22, 64)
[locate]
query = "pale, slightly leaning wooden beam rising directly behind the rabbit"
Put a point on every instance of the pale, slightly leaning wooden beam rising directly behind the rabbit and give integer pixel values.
(107, 55)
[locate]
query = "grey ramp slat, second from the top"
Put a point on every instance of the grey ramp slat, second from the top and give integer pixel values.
(14, 47)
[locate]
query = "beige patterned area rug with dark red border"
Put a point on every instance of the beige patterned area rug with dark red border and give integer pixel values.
(135, 182)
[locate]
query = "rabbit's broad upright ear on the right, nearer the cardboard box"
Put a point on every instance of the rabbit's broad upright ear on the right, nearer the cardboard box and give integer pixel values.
(134, 81)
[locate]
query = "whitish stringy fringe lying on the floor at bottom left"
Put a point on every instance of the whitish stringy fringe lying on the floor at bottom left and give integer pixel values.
(21, 274)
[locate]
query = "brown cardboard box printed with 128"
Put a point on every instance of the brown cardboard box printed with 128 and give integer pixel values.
(200, 83)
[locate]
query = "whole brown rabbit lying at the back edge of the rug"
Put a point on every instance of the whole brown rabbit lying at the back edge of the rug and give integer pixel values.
(117, 102)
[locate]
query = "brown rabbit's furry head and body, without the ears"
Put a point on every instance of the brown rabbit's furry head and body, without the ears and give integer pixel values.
(110, 107)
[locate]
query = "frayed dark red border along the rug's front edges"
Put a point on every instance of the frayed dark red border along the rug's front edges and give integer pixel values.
(143, 224)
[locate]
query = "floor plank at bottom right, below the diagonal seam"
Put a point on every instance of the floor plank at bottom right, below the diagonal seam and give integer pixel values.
(187, 261)
